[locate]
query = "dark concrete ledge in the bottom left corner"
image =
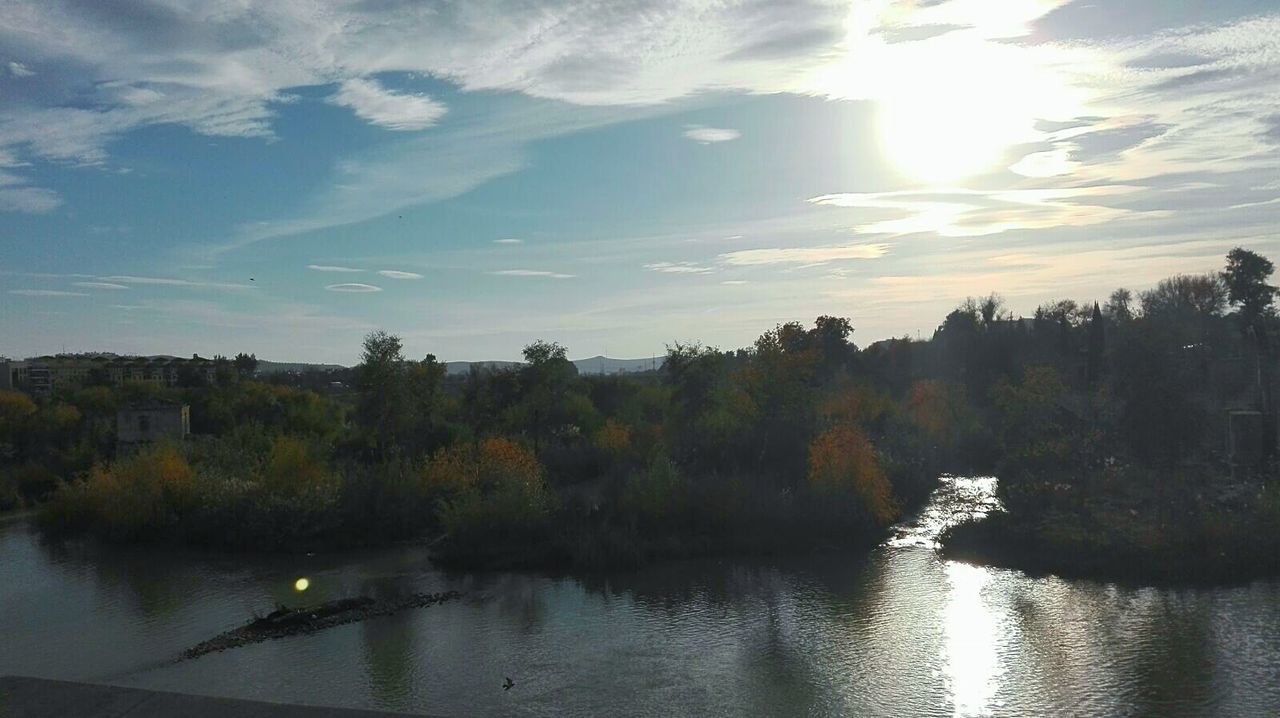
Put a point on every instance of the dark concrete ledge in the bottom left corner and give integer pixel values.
(40, 698)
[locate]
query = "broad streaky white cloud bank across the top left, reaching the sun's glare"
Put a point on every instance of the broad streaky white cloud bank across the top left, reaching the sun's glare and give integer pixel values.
(225, 80)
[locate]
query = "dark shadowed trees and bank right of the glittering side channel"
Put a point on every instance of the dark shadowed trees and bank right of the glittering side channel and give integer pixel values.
(1141, 442)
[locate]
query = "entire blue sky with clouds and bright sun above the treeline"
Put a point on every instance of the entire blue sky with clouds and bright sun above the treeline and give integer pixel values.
(282, 177)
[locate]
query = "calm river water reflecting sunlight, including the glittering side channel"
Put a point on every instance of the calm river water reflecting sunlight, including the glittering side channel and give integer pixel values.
(895, 633)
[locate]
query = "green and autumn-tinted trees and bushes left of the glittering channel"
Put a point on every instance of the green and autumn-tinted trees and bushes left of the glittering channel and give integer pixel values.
(787, 446)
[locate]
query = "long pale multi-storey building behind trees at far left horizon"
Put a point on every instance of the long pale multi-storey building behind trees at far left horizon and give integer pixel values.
(43, 376)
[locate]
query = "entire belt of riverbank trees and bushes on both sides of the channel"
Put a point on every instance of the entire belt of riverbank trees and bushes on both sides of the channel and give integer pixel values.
(1133, 437)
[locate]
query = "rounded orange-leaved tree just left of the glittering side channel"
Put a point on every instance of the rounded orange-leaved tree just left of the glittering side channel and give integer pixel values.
(844, 458)
